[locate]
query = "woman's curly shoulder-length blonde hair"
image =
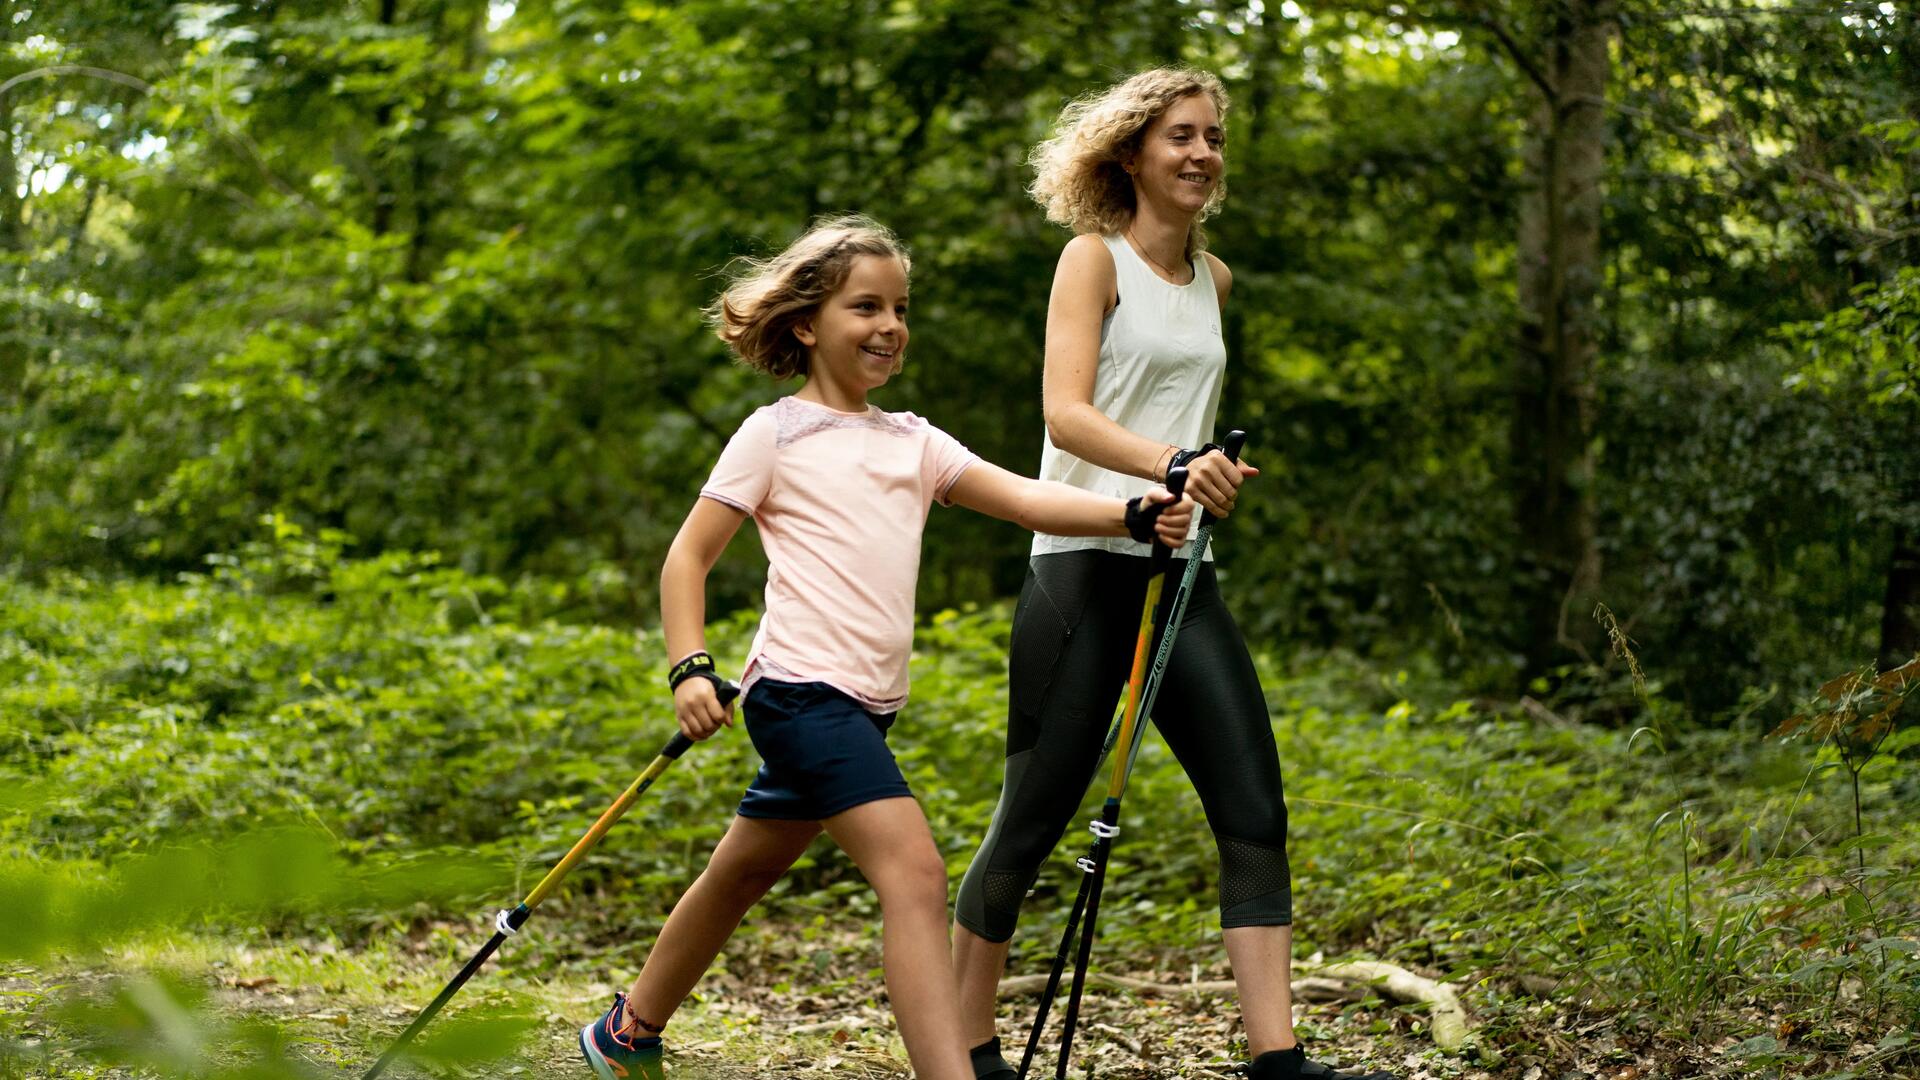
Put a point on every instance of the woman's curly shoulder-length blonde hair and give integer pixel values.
(1078, 170)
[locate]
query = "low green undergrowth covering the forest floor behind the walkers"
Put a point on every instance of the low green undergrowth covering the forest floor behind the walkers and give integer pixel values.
(443, 745)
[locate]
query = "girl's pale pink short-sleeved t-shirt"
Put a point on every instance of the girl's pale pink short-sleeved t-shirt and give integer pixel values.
(840, 501)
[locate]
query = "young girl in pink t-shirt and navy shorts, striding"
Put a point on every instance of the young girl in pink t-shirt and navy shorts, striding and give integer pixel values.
(840, 493)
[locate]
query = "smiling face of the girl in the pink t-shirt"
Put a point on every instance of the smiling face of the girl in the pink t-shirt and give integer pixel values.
(859, 335)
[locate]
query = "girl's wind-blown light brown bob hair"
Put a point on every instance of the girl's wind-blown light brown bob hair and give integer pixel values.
(769, 299)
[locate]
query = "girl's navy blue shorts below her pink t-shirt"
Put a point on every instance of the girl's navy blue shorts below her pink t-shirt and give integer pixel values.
(821, 750)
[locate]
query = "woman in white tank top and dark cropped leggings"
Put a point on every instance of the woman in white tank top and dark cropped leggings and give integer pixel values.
(1132, 389)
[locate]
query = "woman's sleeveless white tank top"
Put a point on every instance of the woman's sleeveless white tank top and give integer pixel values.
(1163, 364)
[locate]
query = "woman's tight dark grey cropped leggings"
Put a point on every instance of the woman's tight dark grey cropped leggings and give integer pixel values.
(1074, 633)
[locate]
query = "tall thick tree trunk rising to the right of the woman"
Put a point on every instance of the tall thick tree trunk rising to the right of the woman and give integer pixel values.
(1560, 270)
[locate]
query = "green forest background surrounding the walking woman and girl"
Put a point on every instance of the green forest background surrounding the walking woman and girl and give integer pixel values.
(354, 383)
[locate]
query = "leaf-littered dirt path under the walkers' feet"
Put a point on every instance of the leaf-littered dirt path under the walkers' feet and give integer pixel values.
(786, 1002)
